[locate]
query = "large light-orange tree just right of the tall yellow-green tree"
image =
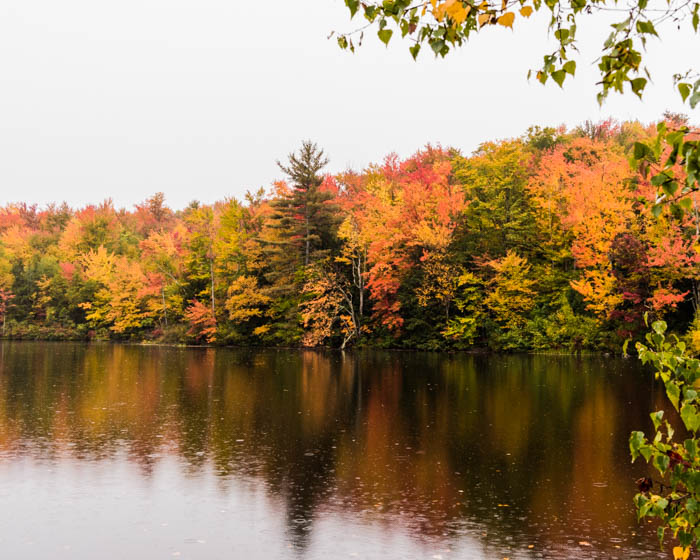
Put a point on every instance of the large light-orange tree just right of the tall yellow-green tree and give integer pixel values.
(583, 190)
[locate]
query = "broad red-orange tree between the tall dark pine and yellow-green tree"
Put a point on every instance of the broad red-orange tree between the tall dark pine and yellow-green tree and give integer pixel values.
(409, 214)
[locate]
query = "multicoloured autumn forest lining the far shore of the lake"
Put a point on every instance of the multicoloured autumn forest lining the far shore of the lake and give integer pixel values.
(542, 242)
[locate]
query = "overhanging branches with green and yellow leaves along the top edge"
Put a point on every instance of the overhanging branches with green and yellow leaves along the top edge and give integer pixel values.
(444, 25)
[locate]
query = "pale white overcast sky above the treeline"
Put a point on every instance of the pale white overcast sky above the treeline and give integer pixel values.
(197, 99)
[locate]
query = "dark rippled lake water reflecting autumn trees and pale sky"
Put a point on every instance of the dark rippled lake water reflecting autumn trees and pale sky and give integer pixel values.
(128, 452)
